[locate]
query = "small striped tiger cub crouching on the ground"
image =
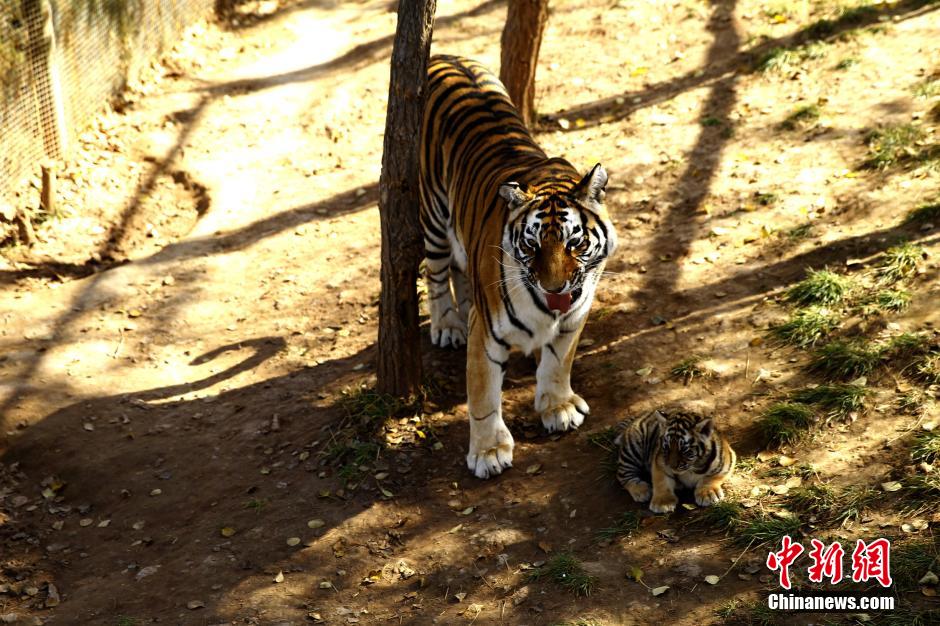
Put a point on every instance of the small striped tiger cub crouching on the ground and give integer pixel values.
(673, 447)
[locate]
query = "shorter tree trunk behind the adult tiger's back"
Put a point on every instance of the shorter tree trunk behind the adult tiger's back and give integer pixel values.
(522, 38)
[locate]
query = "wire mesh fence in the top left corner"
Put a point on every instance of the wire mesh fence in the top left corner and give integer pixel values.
(62, 60)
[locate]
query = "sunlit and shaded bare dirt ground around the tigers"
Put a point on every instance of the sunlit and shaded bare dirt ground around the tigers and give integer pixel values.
(179, 348)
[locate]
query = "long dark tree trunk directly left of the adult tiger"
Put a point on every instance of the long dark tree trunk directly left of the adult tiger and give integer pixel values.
(399, 366)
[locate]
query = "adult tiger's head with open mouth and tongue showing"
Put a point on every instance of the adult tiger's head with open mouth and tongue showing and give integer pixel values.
(560, 235)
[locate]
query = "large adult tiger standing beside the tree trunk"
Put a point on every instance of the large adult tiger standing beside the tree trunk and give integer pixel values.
(515, 244)
